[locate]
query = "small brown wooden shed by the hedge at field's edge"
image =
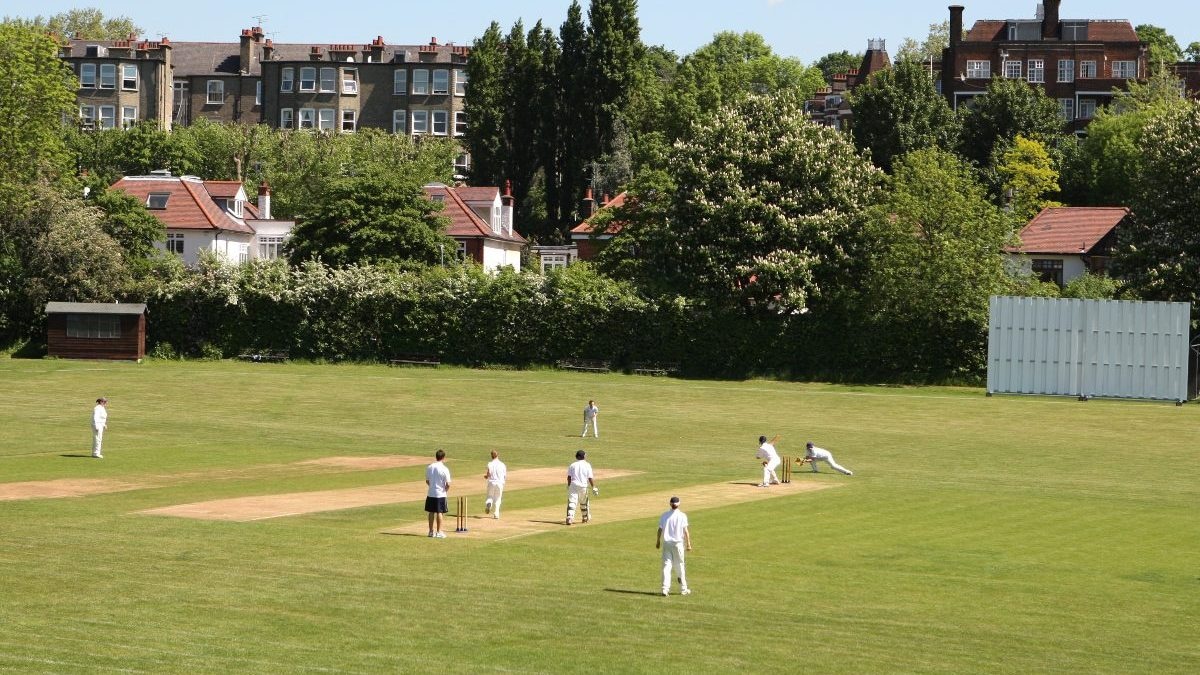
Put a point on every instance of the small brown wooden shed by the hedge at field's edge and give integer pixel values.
(97, 331)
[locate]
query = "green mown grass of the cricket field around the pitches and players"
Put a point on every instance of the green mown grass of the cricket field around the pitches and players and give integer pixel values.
(979, 535)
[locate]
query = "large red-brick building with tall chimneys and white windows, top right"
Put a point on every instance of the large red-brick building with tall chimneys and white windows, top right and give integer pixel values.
(1077, 62)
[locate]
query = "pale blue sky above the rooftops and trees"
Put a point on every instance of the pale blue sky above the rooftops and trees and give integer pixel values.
(806, 29)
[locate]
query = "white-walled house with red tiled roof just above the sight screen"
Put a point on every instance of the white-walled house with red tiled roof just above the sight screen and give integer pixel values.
(1063, 243)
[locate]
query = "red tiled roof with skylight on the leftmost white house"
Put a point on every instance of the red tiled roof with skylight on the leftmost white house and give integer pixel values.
(190, 205)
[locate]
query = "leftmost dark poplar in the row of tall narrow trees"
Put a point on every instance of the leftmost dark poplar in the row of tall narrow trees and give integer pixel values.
(485, 106)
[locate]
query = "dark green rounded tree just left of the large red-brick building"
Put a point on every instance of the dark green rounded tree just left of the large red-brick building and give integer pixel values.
(898, 111)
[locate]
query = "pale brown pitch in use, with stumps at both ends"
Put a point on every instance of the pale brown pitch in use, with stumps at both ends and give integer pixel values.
(514, 524)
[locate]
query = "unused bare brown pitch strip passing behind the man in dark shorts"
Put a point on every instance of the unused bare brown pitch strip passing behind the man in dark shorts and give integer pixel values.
(263, 507)
